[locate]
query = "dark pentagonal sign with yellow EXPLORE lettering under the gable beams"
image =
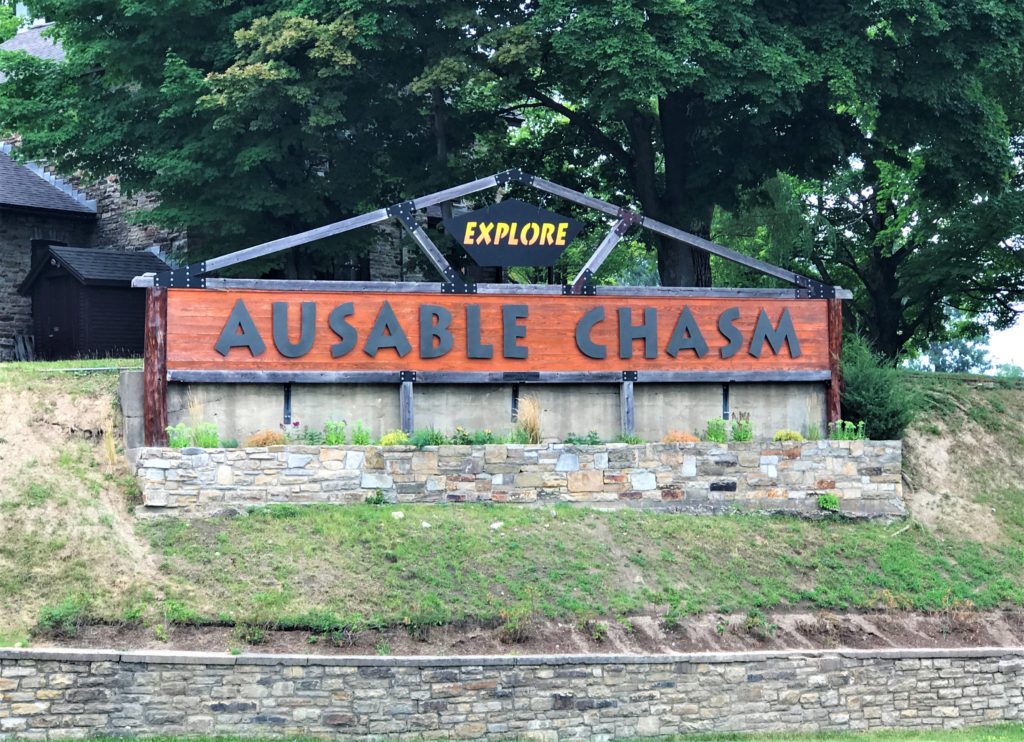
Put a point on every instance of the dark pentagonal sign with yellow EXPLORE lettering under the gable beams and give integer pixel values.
(514, 233)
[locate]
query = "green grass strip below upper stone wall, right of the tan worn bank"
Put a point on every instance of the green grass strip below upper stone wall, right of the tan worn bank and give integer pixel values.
(294, 568)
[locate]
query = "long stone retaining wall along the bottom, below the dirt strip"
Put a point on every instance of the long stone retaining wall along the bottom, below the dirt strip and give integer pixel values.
(55, 694)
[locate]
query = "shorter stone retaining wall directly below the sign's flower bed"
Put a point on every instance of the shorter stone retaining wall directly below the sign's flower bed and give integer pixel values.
(700, 477)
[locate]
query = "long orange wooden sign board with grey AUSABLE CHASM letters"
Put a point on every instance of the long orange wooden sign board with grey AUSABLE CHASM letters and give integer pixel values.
(311, 331)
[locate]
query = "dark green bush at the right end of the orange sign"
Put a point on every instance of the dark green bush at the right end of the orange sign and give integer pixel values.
(875, 391)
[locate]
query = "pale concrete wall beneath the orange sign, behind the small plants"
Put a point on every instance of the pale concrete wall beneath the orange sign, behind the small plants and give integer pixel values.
(241, 410)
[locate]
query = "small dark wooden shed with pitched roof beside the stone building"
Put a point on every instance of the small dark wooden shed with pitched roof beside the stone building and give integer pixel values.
(82, 302)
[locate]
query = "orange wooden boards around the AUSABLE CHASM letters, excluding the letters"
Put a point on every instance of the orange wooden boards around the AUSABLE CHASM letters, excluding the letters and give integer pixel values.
(197, 318)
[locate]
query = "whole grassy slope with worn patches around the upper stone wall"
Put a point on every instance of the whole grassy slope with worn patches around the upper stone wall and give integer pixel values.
(73, 551)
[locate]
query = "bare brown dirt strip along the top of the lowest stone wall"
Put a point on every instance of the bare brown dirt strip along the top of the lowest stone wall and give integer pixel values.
(642, 635)
